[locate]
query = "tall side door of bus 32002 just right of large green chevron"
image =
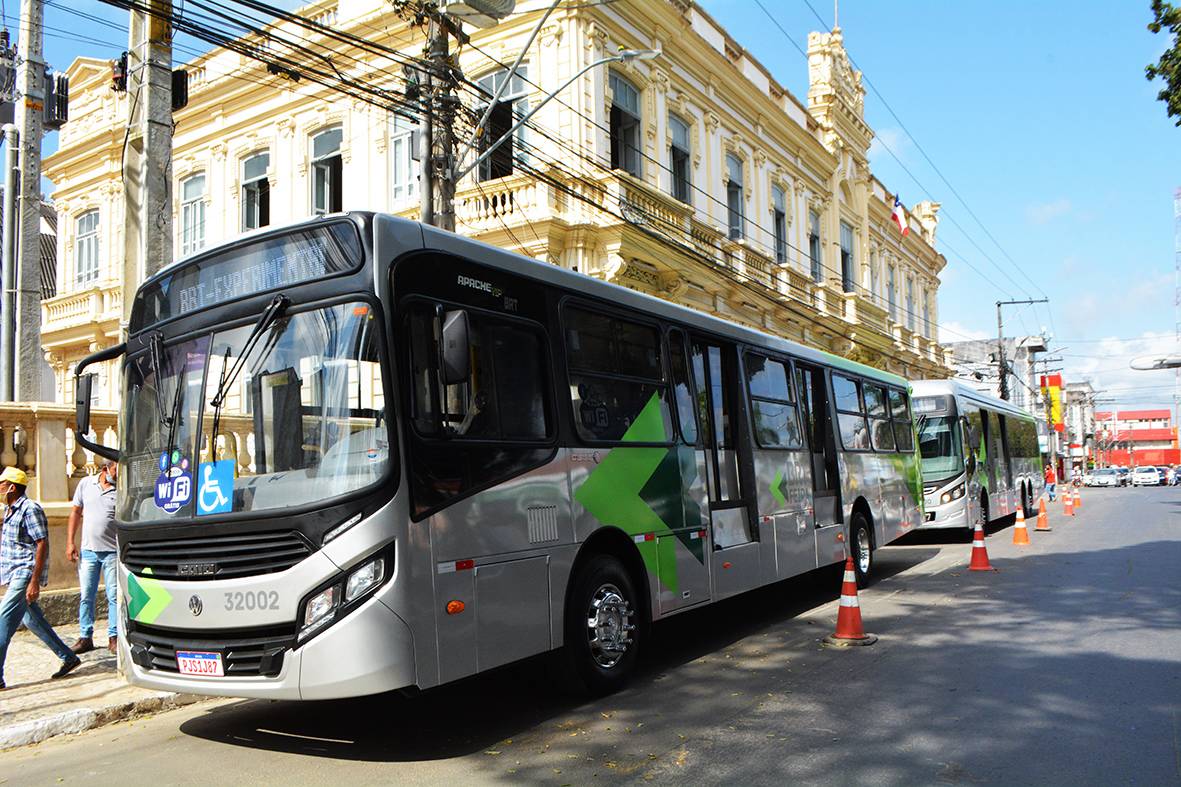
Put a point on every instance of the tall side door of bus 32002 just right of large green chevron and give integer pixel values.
(736, 550)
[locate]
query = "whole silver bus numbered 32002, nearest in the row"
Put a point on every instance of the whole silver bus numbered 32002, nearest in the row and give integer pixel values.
(360, 454)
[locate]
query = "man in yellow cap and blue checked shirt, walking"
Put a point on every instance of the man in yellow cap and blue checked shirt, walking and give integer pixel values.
(24, 569)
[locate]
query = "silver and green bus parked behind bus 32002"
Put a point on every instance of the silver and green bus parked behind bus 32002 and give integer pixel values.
(981, 456)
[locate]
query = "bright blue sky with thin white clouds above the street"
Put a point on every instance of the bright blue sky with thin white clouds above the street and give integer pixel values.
(1033, 125)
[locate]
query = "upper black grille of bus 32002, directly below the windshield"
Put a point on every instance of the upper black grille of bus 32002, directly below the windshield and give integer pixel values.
(218, 557)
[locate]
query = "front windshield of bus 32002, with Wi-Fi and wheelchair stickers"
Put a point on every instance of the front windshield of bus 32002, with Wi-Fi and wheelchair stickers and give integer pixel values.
(302, 418)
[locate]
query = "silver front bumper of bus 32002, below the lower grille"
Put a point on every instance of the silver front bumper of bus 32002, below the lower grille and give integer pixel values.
(369, 652)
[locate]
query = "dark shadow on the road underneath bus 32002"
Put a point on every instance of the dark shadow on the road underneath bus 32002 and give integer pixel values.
(477, 713)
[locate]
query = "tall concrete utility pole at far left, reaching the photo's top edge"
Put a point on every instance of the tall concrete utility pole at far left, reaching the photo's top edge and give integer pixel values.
(30, 116)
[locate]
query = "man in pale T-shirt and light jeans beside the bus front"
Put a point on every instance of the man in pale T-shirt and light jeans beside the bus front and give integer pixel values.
(94, 510)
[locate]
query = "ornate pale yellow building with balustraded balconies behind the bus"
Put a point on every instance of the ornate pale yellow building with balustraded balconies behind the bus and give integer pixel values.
(694, 177)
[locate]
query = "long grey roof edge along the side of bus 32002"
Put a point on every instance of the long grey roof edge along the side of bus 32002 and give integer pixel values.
(525, 266)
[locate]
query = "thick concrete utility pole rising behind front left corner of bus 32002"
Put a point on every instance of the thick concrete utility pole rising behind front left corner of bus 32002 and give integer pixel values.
(148, 159)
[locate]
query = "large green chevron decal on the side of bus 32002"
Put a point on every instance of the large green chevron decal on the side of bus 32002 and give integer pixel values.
(644, 490)
